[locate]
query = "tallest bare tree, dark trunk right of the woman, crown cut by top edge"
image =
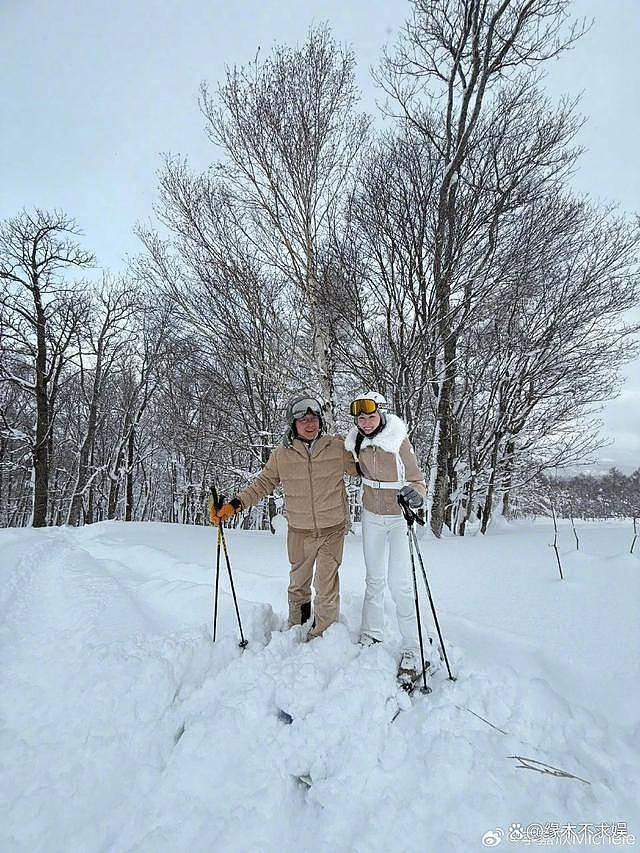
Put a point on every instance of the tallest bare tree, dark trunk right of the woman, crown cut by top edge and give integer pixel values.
(452, 60)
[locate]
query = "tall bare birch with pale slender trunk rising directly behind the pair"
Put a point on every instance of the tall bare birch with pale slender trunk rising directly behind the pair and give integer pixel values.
(290, 135)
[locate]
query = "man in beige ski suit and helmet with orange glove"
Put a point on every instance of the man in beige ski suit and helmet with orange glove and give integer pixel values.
(310, 466)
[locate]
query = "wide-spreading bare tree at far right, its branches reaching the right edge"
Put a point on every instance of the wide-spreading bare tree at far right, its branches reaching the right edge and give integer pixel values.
(550, 346)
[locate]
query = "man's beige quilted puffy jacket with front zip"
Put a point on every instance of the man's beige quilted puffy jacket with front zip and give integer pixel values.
(313, 483)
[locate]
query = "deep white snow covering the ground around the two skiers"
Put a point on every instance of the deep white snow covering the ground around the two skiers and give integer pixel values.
(125, 729)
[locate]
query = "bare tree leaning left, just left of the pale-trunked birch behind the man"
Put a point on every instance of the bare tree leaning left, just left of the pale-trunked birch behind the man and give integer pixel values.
(237, 315)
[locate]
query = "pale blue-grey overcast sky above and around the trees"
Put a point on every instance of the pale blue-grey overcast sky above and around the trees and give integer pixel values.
(93, 93)
